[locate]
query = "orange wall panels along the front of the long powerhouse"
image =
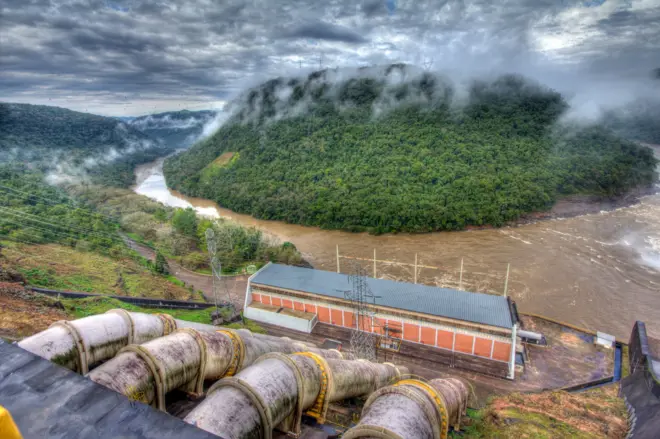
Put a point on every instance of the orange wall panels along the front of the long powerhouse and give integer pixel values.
(492, 347)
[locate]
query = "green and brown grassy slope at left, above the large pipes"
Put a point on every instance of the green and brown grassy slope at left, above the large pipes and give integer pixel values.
(60, 267)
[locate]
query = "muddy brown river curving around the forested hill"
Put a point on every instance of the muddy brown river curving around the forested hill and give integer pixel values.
(600, 271)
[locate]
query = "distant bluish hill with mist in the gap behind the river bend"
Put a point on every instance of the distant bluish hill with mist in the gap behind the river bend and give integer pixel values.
(177, 129)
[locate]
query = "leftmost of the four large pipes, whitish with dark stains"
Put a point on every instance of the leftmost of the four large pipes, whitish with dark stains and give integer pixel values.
(80, 344)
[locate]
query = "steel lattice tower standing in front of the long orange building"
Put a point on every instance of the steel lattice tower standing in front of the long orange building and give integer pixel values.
(363, 343)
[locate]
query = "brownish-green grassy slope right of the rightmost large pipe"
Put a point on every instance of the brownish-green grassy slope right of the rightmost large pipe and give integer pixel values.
(597, 413)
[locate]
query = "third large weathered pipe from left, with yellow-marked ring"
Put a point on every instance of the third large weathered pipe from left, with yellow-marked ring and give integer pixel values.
(278, 389)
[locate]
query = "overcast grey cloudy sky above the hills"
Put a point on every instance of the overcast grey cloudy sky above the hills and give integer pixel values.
(132, 57)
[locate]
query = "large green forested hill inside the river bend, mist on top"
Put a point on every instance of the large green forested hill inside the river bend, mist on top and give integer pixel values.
(395, 149)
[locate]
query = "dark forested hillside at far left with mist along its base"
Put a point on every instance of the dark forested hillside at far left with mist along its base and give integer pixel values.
(74, 144)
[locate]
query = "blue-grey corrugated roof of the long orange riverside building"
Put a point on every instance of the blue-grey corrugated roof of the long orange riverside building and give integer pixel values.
(481, 308)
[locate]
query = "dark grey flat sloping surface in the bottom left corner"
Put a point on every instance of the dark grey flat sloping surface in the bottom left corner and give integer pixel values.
(49, 401)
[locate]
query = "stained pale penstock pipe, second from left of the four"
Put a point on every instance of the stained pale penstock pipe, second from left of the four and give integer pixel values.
(185, 359)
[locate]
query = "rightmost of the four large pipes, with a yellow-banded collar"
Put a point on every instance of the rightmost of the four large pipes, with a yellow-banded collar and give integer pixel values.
(413, 409)
